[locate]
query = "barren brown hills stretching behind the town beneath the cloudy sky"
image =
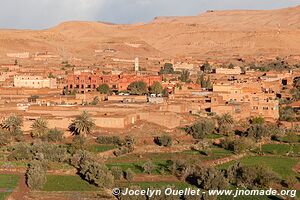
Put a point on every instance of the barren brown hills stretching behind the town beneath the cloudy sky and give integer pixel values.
(214, 34)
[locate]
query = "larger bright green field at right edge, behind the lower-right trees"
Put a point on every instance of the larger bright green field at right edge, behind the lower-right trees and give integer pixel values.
(279, 164)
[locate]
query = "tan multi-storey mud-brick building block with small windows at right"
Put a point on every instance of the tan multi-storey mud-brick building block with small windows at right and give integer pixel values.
(243, 103)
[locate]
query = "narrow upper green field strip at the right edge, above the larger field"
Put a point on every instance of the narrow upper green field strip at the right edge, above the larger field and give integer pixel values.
(281, 149)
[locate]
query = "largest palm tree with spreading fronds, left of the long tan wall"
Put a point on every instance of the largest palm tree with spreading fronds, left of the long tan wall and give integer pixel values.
(82, 124)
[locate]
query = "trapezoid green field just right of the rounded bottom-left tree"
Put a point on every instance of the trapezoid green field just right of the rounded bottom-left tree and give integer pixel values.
(67, 183)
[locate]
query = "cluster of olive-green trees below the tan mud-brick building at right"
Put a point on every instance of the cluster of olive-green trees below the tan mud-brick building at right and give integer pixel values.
(237, 141)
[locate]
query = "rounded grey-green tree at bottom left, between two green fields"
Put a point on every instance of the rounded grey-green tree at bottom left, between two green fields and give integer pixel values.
(36, 175)
